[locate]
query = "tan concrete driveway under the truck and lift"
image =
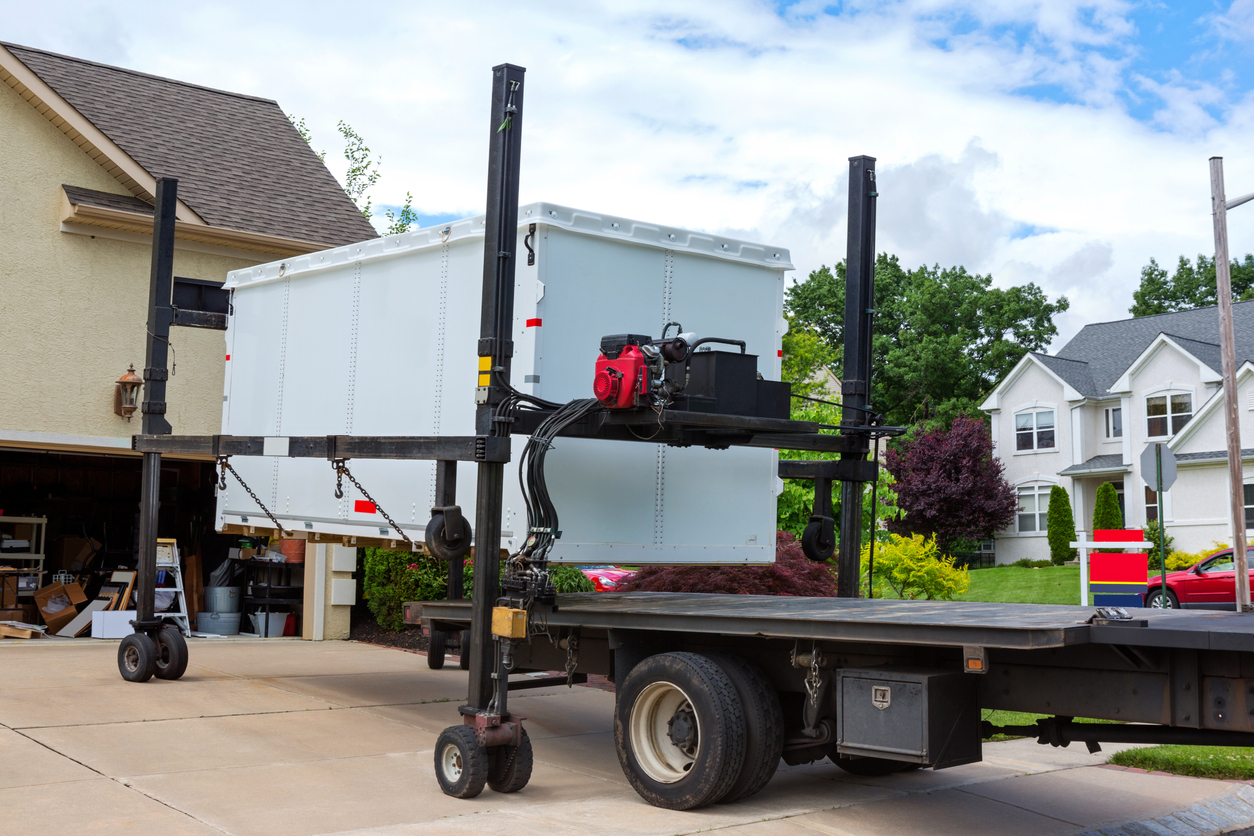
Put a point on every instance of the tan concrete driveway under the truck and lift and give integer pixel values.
(293, 739)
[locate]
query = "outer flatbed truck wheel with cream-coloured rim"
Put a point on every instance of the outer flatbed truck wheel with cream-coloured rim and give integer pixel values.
(680, 731)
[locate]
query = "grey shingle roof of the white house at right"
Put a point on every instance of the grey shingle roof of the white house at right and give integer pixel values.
(1110, 348)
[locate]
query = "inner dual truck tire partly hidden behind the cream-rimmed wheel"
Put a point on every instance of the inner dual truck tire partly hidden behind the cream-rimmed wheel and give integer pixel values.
(764, 725)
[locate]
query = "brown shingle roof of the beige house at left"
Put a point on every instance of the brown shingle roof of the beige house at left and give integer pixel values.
(239, 161)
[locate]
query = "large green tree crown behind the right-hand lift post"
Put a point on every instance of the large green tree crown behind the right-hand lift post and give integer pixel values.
(941, 338)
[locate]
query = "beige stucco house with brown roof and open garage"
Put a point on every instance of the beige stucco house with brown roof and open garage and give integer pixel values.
(82, 146)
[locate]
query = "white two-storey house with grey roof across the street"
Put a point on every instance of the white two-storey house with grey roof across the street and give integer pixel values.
(1084, 417)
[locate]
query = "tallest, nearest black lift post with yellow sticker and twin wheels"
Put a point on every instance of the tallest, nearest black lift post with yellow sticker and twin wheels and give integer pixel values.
(491, 746)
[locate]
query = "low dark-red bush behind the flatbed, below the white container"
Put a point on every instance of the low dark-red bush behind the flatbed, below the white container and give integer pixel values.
(792, 575)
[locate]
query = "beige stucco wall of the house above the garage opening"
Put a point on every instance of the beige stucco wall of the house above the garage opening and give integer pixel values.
(75, 306)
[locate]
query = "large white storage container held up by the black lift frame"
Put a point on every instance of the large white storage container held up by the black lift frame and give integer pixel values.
(381, 339)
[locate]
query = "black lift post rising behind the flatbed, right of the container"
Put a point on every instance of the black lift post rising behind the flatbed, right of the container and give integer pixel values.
(856, 385)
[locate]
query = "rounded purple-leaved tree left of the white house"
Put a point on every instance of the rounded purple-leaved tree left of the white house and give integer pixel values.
(950, 484)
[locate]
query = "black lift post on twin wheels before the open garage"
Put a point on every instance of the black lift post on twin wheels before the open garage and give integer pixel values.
(155, 647)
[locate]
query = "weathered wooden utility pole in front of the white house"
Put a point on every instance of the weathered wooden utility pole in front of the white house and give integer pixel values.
(1227, 347)
